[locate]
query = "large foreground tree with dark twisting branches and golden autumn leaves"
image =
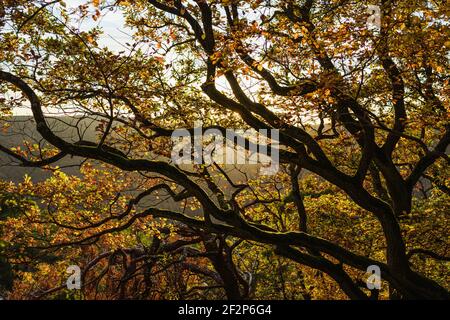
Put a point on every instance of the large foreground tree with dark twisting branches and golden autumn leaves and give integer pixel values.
(364, 111)
